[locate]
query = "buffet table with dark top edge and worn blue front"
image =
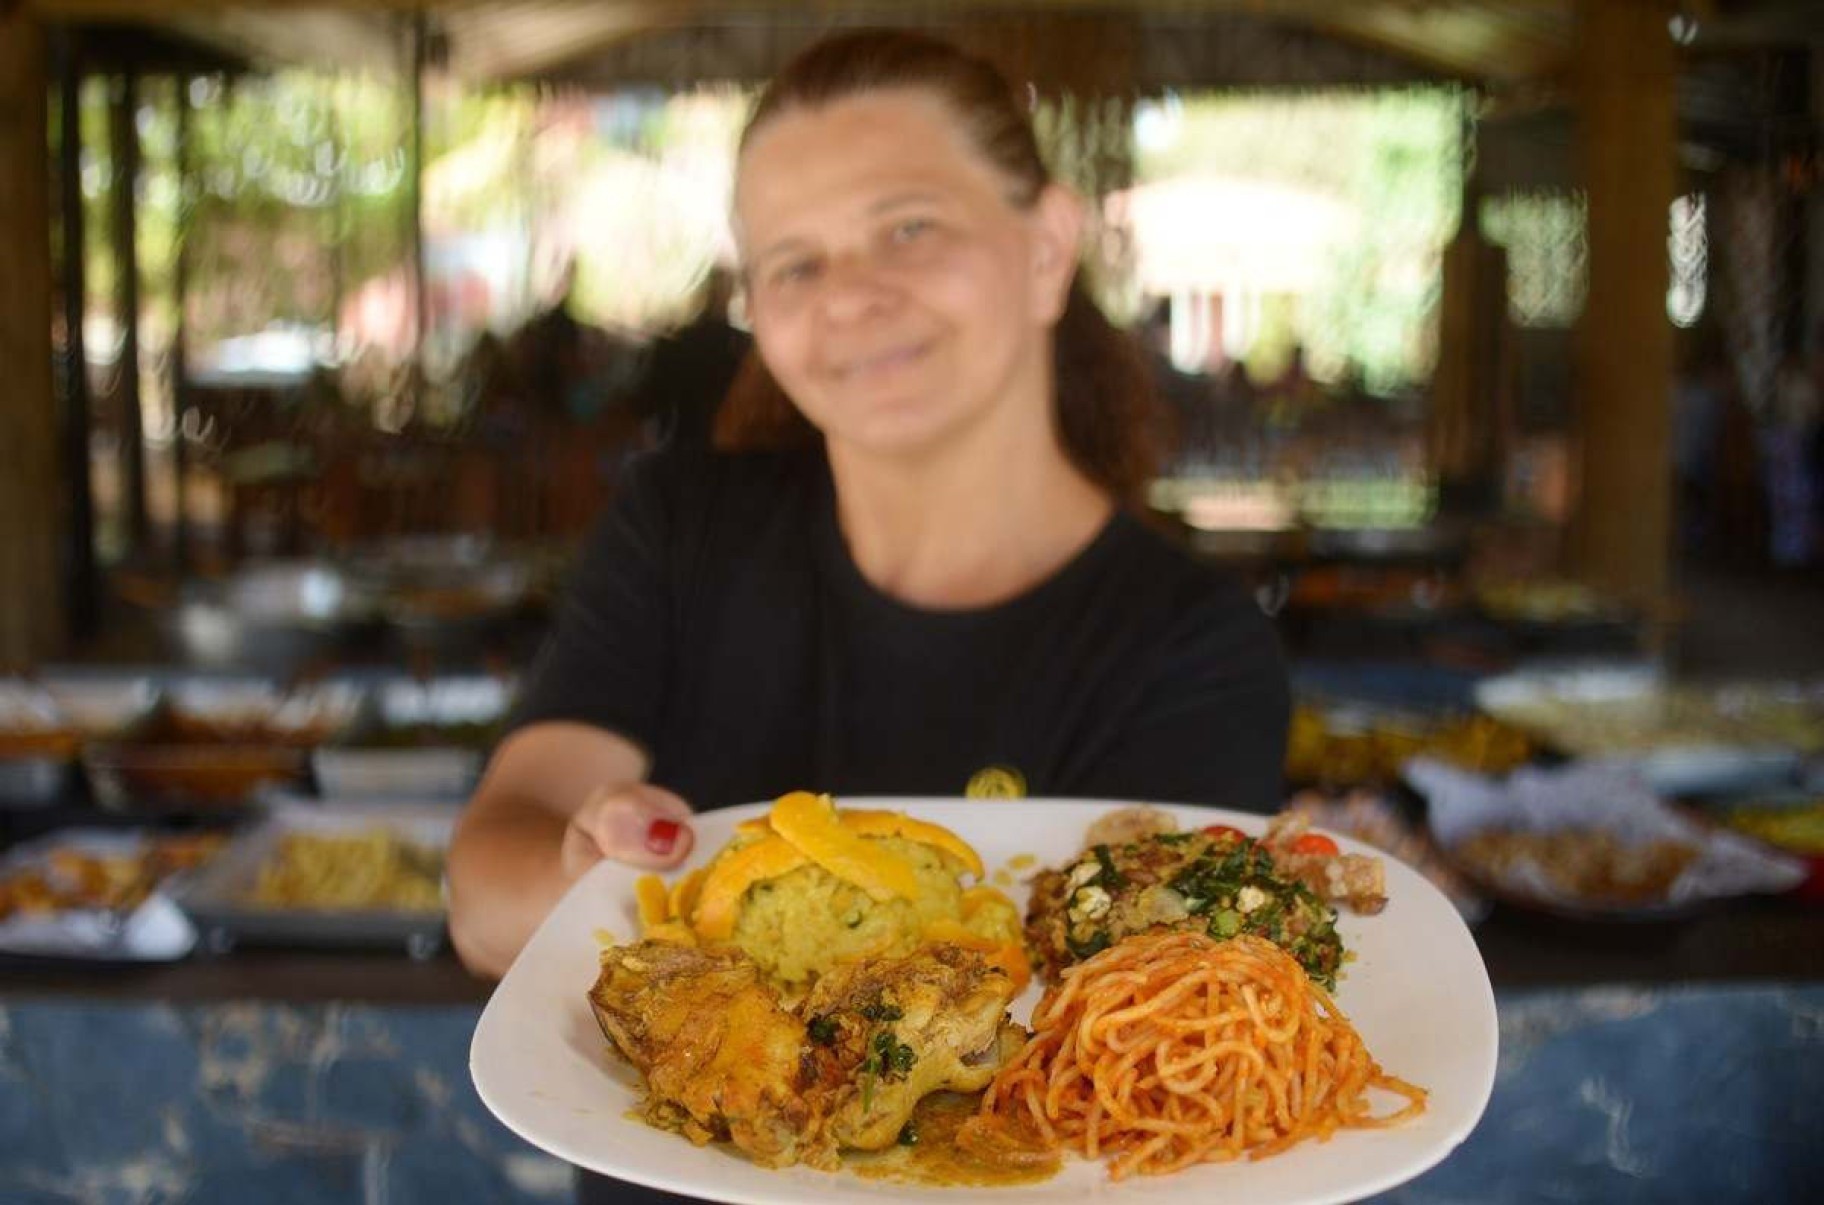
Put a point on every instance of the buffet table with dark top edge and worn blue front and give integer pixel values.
(1670, 1062)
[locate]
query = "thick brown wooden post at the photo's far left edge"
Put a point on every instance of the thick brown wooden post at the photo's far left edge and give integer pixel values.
(30, 613)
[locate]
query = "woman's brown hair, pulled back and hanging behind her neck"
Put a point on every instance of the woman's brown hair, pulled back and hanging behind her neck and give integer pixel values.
(1104, 391)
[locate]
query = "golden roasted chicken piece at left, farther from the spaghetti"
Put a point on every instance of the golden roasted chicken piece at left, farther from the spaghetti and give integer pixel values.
(720, 1053)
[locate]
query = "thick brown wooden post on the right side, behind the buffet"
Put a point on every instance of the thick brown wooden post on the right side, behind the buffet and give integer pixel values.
(1626, 77)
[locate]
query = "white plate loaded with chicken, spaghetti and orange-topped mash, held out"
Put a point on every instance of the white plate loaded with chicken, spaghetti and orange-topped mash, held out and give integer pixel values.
(933, 998)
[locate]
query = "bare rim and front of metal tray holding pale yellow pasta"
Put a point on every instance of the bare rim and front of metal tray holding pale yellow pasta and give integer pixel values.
(220, 898)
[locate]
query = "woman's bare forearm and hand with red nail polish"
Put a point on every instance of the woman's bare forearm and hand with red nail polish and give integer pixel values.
(555, 799)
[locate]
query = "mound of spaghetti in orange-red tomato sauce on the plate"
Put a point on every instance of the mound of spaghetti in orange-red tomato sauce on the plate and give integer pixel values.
(1177, 1049)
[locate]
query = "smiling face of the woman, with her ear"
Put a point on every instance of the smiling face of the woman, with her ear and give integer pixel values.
(896, 294)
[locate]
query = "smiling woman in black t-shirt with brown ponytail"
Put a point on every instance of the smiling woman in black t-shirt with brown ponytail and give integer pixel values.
(917, 570)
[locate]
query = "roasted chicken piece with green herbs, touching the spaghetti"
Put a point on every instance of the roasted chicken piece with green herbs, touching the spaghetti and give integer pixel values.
(895, 1031)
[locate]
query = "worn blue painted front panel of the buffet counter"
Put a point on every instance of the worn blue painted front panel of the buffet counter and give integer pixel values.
(1604, 1095)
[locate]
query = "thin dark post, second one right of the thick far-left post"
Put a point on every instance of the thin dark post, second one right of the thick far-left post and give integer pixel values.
(123, 136)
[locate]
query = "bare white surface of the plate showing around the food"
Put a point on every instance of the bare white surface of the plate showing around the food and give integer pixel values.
(1416, 991)
